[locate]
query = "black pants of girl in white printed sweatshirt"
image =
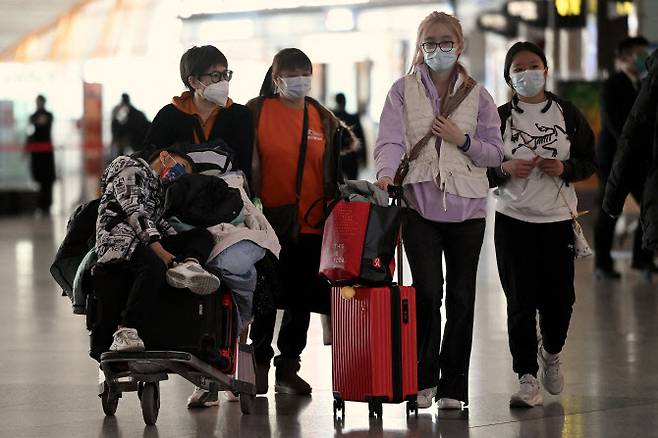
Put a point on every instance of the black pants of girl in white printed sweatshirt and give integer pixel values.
(536, 268)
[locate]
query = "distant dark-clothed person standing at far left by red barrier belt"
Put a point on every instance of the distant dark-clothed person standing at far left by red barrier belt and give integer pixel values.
(42, 156)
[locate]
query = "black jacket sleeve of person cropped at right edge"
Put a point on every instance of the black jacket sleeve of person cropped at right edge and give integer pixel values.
(634, 149)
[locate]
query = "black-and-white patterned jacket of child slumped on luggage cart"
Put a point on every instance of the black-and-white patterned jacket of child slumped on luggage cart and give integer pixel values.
(131, 209)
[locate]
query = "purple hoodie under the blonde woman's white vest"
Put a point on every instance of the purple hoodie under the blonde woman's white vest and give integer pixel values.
(486, 150)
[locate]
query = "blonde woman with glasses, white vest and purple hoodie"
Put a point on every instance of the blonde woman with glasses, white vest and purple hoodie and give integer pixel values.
(448, 127)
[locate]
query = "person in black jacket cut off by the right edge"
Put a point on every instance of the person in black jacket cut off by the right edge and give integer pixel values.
(638, 151)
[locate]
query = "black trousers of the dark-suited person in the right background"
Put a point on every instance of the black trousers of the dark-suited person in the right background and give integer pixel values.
(604, 232)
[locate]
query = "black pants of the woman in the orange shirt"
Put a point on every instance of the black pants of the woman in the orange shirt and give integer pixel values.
(302, 291)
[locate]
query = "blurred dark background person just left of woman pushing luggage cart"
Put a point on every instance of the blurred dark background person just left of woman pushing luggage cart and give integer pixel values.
(129, 126)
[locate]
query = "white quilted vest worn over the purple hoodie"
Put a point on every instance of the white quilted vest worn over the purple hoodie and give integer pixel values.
(453, 171)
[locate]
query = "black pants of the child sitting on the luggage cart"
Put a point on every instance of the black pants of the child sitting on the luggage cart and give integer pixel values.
(144, 275)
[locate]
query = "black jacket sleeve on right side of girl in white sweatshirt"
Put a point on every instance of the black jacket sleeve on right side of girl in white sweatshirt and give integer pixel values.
(582, 159)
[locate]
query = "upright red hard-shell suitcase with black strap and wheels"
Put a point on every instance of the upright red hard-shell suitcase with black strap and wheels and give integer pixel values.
(374, 352)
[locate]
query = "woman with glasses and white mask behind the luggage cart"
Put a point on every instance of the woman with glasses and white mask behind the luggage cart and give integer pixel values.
(205, 112)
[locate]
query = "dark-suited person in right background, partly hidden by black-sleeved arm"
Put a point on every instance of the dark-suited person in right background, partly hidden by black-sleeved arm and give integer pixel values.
(617, 98)
